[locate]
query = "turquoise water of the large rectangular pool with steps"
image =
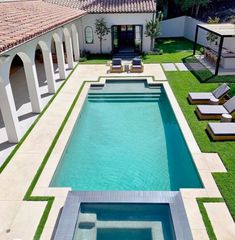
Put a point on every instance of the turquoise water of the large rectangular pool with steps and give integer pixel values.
(127, 138)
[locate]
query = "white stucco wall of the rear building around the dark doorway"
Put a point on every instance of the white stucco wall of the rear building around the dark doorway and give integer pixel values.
(111, 19)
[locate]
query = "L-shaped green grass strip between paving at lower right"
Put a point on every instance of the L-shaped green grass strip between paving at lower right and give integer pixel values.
(205, 217)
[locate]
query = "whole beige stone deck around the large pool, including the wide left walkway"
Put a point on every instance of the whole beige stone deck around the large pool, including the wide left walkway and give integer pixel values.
(16, 214)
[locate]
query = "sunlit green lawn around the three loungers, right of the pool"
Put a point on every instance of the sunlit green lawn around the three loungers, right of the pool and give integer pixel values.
(182, 83)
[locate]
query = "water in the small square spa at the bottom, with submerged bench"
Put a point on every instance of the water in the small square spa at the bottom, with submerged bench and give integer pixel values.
(124, 221)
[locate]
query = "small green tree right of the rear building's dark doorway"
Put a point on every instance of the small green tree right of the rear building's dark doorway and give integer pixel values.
(153, 28)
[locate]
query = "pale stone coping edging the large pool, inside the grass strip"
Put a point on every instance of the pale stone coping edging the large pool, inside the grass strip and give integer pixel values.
(202, 162)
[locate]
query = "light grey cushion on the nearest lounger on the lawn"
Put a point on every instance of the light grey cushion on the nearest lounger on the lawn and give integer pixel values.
(222, 128)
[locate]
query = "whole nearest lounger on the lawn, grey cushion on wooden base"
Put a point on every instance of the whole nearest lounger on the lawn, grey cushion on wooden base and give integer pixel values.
(221, 131)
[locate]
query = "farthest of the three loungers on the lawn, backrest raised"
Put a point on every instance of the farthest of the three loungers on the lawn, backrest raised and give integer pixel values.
(218, 95)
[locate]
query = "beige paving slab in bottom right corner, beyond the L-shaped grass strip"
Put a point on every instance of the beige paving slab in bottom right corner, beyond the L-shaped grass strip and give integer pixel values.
(221, 220)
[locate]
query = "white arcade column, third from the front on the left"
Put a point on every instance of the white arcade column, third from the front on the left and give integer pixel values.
(48, 65)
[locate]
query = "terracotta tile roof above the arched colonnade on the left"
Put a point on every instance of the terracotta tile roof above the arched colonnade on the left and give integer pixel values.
(23, 20)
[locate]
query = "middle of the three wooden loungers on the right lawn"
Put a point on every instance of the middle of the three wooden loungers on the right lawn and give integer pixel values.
(216, 111)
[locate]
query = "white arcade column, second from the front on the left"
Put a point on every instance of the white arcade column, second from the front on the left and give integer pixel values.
(33, 87)
